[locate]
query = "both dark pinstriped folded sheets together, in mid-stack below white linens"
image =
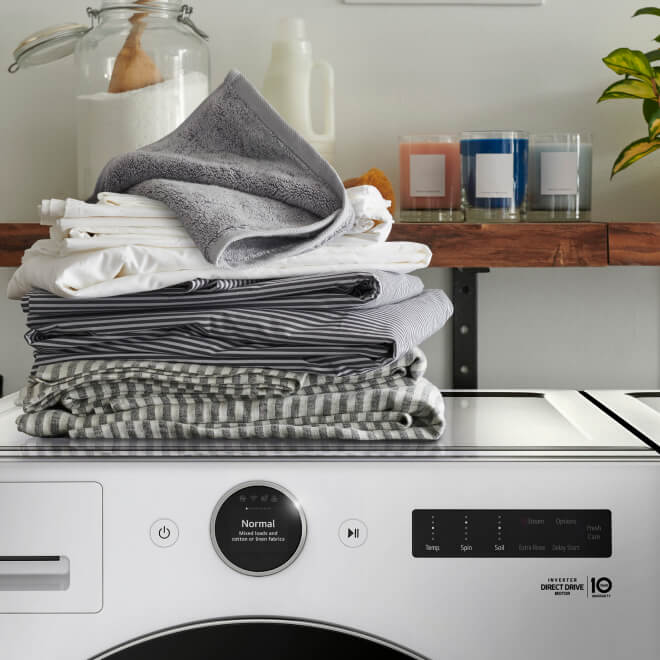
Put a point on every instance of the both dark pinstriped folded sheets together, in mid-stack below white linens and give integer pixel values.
(354, 326)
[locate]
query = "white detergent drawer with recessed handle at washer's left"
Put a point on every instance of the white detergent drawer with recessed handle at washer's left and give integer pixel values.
(51, 545)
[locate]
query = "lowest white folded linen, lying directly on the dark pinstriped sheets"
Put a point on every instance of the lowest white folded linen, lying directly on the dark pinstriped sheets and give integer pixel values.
(128, 269)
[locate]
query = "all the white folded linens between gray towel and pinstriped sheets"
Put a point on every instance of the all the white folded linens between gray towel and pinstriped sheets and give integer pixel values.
(127, 243)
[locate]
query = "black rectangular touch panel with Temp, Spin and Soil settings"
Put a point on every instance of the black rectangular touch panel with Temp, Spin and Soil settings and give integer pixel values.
(512, 533)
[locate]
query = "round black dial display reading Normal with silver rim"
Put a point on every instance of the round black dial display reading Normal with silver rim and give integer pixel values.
(258, 528)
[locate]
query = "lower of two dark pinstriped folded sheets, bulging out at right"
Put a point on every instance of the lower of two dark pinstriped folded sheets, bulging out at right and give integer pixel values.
(308, 338)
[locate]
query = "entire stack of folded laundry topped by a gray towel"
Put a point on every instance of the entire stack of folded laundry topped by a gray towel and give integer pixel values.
(237, 292)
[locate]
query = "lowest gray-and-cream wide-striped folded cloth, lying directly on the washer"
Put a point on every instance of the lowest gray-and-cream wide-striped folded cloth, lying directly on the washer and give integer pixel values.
(414, 413)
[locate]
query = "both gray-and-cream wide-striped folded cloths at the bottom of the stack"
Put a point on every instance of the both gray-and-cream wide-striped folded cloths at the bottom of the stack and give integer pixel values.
(390, 403)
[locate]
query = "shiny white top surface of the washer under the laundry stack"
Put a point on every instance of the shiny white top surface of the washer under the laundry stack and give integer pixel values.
(480, 424)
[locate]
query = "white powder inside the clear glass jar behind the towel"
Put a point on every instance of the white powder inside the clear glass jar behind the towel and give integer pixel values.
(112, 124)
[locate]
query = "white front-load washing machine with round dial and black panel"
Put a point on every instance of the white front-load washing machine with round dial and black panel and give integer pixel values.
(531, 530)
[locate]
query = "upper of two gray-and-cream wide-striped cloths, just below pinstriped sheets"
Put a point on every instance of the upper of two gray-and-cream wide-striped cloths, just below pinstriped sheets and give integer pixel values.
(95, 386)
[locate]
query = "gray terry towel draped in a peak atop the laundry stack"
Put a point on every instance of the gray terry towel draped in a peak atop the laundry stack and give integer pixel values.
(246, 186)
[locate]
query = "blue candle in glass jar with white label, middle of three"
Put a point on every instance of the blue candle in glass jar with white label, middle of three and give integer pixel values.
(494, 175)
